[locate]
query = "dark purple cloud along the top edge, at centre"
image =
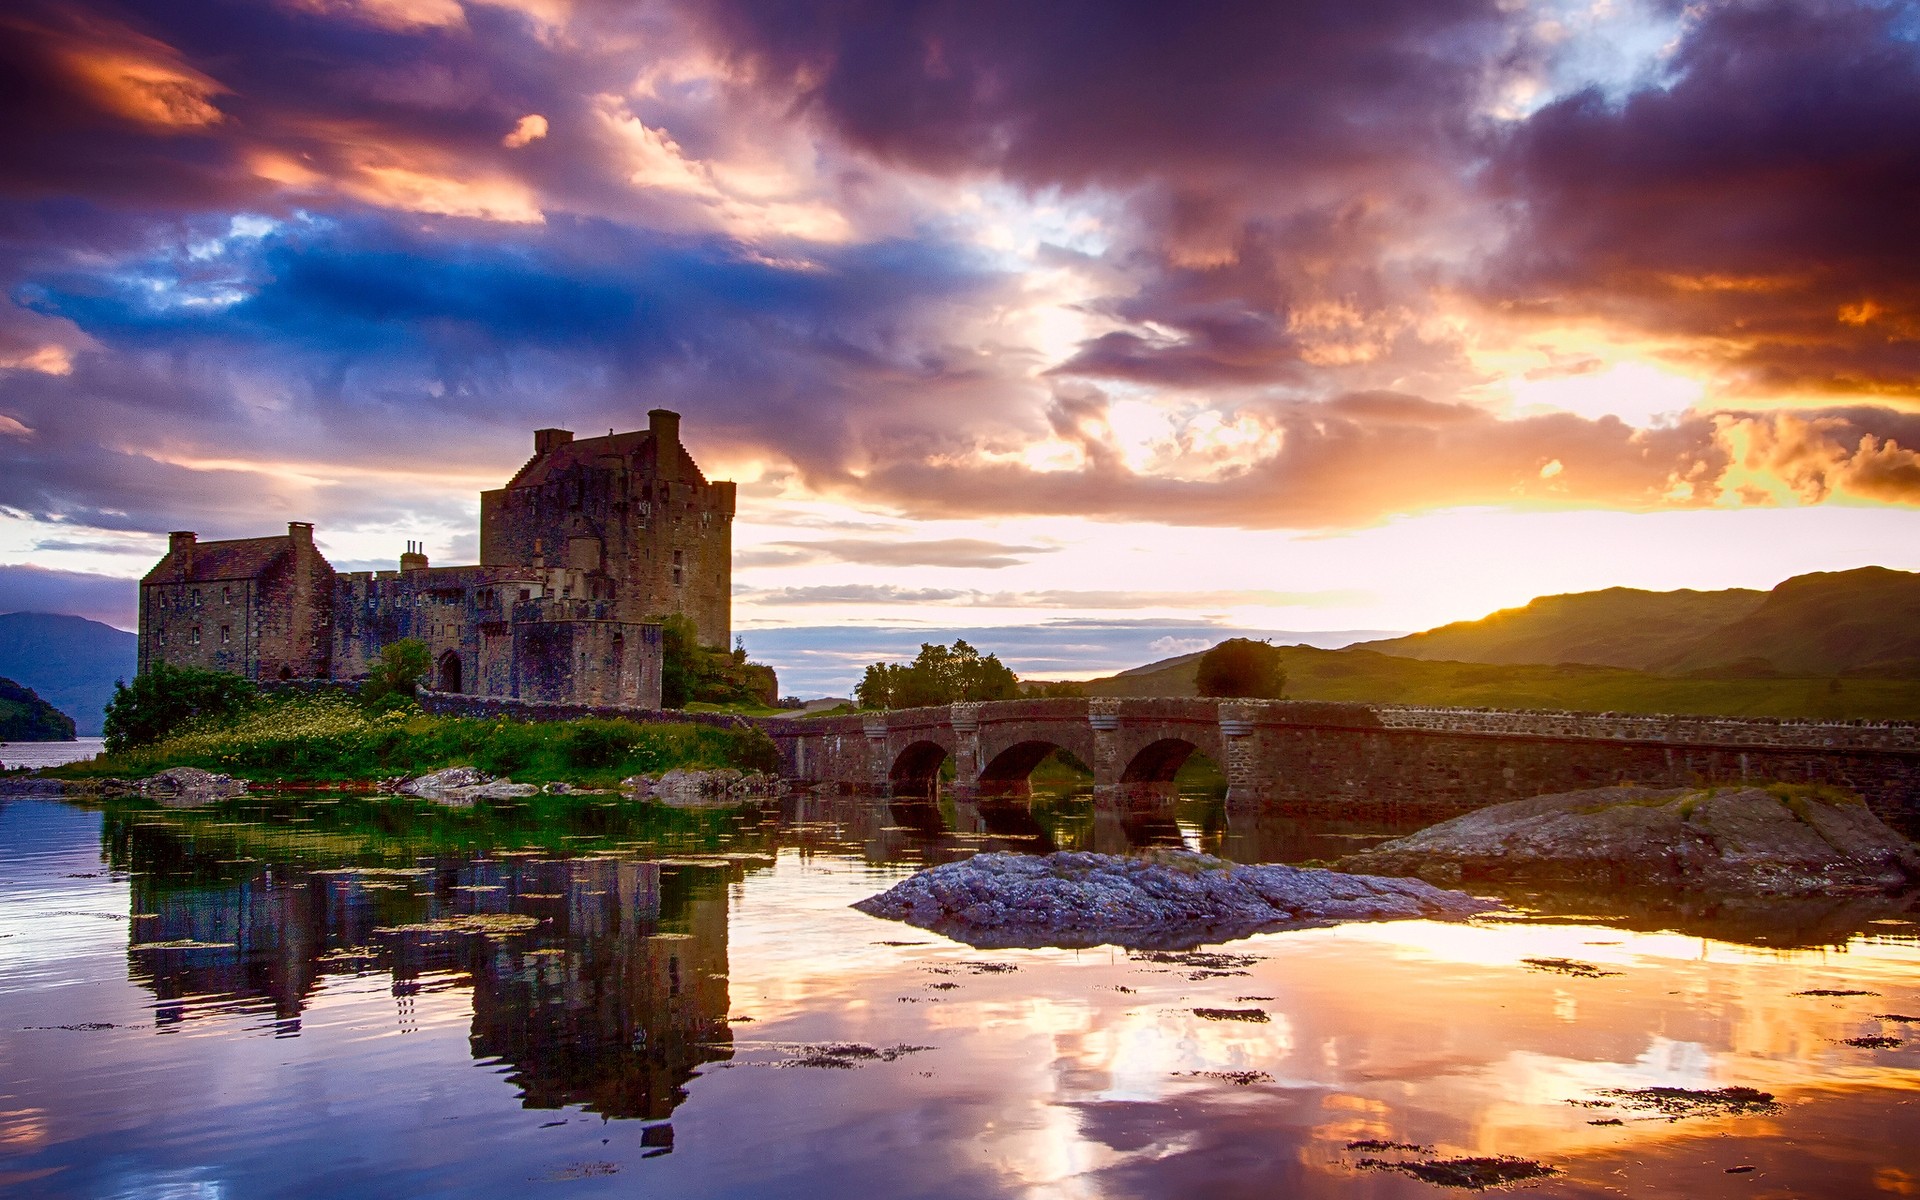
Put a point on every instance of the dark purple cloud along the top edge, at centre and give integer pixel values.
(1120, 93)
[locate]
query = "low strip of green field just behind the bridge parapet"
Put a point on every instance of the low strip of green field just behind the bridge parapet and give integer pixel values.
(1358, 675)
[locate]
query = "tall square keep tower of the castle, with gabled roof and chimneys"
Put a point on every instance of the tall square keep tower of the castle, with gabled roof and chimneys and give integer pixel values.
(633, 514)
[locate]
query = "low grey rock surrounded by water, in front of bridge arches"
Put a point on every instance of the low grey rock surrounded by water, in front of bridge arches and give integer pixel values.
(1164, 901)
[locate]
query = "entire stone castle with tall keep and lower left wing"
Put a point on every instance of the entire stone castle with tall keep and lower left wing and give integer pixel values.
(581, 556)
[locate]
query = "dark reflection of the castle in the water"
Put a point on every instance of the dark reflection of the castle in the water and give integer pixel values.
(612, 1001)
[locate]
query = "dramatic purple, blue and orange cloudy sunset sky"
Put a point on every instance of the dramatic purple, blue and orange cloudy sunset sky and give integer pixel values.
(1093, 329)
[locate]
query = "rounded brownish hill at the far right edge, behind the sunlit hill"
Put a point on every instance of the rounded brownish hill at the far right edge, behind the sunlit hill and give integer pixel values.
(1821, 625)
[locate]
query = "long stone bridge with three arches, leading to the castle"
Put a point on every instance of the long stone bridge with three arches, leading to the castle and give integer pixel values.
(1308, 756)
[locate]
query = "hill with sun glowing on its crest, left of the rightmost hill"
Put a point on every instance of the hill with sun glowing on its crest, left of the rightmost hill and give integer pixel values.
(1620, 627)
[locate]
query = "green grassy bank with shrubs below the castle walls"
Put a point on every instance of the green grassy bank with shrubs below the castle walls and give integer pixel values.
(333, 740)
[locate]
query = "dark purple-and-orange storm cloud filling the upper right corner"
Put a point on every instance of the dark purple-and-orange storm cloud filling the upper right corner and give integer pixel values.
(1769, 197)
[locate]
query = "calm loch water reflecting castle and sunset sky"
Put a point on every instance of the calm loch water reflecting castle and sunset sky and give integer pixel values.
(276, 999)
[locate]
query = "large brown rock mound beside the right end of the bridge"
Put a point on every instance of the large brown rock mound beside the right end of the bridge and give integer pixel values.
(1773, 842)
